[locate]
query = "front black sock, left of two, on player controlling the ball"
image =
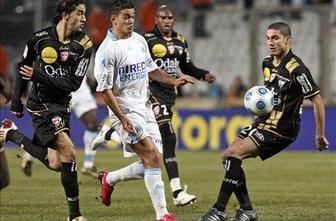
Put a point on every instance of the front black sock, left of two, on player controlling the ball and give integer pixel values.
(231, 179)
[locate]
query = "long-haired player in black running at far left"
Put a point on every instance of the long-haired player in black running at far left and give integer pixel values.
(55, 60)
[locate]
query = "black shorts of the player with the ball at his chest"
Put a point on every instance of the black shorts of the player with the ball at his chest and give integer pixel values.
(268, 143)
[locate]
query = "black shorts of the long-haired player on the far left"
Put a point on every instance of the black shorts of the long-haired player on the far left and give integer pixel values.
(48, 123)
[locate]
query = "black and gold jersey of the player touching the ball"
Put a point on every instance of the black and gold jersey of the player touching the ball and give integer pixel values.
(291, 83)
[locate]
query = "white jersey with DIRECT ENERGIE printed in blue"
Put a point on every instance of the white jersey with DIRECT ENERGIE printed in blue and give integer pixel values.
(123, 65)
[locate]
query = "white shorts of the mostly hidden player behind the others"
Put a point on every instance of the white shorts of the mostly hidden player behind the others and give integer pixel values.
(82, 100)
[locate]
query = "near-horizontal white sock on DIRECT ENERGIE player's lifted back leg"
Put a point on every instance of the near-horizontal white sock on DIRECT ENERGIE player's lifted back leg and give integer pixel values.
(134, 171)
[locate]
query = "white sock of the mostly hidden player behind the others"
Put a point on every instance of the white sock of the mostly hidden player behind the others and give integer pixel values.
(89, 153)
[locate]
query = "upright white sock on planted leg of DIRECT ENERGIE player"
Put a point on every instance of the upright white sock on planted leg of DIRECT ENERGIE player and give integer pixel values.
(155, 188)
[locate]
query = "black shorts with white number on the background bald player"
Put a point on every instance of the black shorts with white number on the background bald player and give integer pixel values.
(163, 112)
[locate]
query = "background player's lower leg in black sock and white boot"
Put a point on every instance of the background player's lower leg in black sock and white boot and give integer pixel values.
(180, 196)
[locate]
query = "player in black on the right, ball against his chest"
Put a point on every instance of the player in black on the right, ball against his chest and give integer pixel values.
(291, 82)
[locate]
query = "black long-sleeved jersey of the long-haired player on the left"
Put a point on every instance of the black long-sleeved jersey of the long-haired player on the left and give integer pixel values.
(58, 68)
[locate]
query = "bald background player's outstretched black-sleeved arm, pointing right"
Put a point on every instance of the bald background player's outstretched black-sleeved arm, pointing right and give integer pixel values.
(188, 67)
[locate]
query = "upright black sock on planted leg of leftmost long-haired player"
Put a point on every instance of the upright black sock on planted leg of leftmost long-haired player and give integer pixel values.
(70, 185)
